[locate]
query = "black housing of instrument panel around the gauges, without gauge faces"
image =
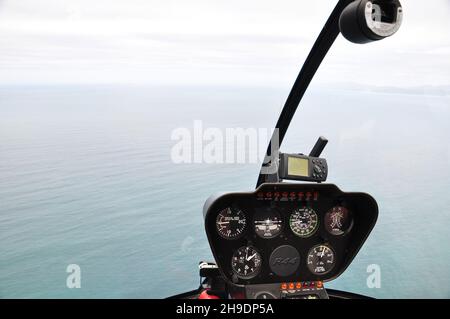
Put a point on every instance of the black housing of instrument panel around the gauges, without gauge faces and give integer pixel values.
(320, 197)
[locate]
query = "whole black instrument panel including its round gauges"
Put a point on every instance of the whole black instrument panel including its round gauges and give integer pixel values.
(287, 232)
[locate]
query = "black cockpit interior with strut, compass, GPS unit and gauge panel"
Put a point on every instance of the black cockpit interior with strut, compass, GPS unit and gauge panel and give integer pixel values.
(284, 240)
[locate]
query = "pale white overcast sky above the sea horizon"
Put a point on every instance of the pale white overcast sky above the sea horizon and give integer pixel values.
(227, 42)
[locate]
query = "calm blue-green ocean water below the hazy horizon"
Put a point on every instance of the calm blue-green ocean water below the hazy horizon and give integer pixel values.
(86, 178)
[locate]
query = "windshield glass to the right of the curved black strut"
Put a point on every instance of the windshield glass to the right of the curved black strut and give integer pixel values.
(385, 109)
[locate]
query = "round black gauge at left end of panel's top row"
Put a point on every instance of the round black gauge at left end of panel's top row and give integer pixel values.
(230, 223)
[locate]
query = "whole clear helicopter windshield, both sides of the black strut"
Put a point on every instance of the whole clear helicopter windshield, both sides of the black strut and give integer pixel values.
(95, 100)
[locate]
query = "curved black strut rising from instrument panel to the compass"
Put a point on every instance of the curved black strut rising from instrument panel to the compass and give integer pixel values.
(318, 52)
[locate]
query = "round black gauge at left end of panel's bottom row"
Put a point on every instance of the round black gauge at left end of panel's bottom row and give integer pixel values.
(246, 262)
